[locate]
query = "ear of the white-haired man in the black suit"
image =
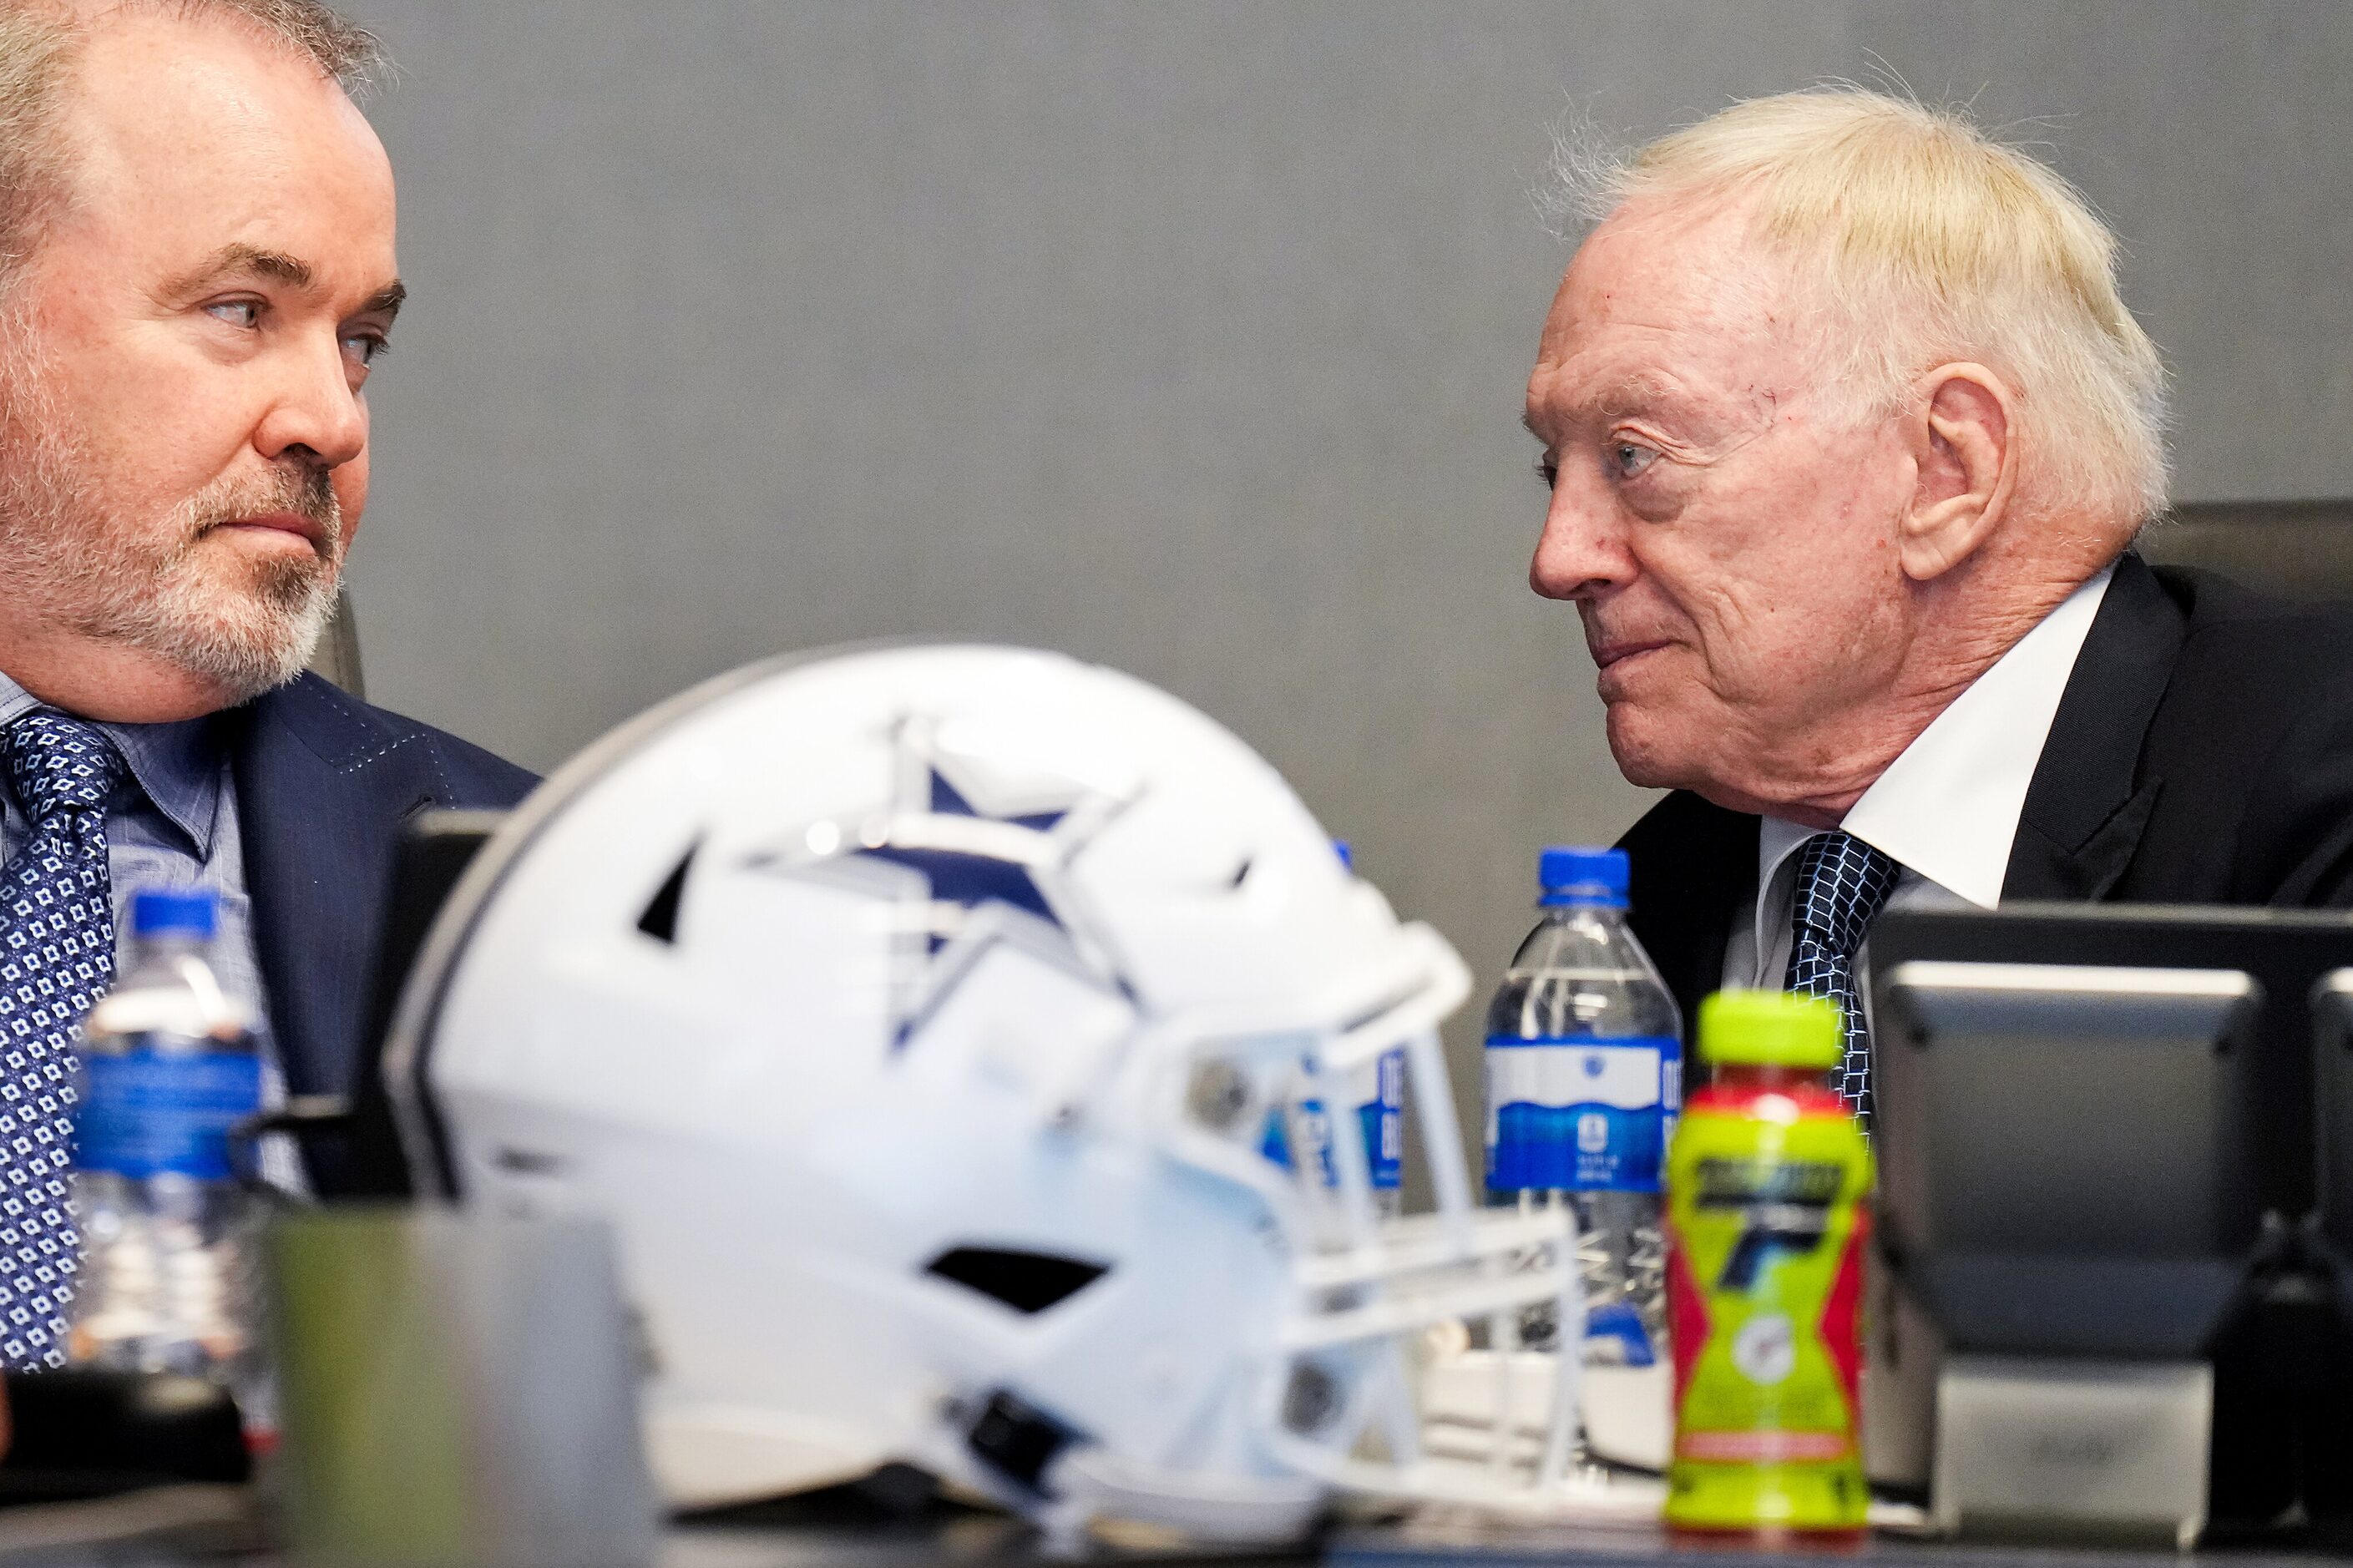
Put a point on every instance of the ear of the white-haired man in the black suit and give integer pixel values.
(1961, 432)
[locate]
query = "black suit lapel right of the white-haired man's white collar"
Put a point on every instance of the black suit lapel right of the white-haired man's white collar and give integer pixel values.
(2088, 806)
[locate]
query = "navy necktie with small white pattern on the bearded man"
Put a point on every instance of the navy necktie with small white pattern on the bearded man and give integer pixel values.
(58, 957)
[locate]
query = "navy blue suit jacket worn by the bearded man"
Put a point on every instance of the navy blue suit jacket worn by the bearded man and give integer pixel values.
(326, 785)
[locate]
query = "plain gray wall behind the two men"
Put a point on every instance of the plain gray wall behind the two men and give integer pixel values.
(1178, 335)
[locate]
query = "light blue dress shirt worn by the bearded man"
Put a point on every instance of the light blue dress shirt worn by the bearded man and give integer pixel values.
(173, 825)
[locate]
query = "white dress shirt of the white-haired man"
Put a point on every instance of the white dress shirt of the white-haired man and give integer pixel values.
(1947, 809)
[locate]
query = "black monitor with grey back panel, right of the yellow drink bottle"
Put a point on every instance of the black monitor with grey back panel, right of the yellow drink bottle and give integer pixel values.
(2065, 1176)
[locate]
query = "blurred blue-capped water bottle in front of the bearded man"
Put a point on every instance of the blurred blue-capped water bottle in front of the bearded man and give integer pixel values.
(168, 1070)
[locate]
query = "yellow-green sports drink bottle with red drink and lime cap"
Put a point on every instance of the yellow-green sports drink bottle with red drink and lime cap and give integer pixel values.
(1768, 1221)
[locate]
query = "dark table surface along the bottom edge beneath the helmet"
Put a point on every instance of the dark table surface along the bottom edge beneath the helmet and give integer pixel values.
(215, 1527)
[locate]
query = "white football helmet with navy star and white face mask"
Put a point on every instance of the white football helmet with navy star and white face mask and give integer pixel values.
(916, 1016)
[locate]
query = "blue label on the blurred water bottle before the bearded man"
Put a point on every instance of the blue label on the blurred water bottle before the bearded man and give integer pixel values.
(164, 1112)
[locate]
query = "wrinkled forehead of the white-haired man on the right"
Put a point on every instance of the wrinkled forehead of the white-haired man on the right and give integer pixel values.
(1672, 295)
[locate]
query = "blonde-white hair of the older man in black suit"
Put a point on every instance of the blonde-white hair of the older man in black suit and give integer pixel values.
(1928, 244)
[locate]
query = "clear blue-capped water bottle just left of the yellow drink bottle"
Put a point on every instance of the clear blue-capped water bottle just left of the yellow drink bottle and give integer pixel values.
(1585, 1079)
